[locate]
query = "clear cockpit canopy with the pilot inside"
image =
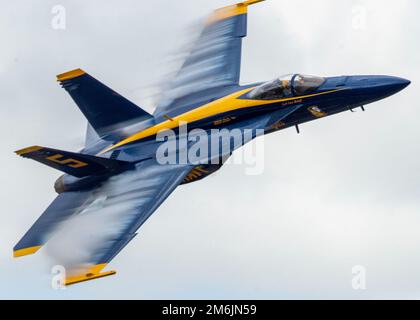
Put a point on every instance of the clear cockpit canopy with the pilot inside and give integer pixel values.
(286, 86)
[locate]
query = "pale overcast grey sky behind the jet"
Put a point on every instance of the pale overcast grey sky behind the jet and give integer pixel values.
(343, 193)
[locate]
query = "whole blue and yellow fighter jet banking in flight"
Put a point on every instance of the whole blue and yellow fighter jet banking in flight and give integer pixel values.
(118, 164)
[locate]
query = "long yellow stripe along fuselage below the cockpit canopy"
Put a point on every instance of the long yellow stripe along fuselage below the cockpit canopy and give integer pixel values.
(225, 104)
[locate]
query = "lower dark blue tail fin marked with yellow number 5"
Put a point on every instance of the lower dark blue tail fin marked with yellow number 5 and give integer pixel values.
(75, 164)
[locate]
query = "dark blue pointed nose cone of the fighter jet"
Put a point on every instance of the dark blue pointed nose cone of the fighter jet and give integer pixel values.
(373, 88)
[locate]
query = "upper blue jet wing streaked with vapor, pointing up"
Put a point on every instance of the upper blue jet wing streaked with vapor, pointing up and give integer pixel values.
(214, 61)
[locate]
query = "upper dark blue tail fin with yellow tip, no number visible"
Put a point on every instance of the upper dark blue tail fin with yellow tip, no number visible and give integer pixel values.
(106, 110)
